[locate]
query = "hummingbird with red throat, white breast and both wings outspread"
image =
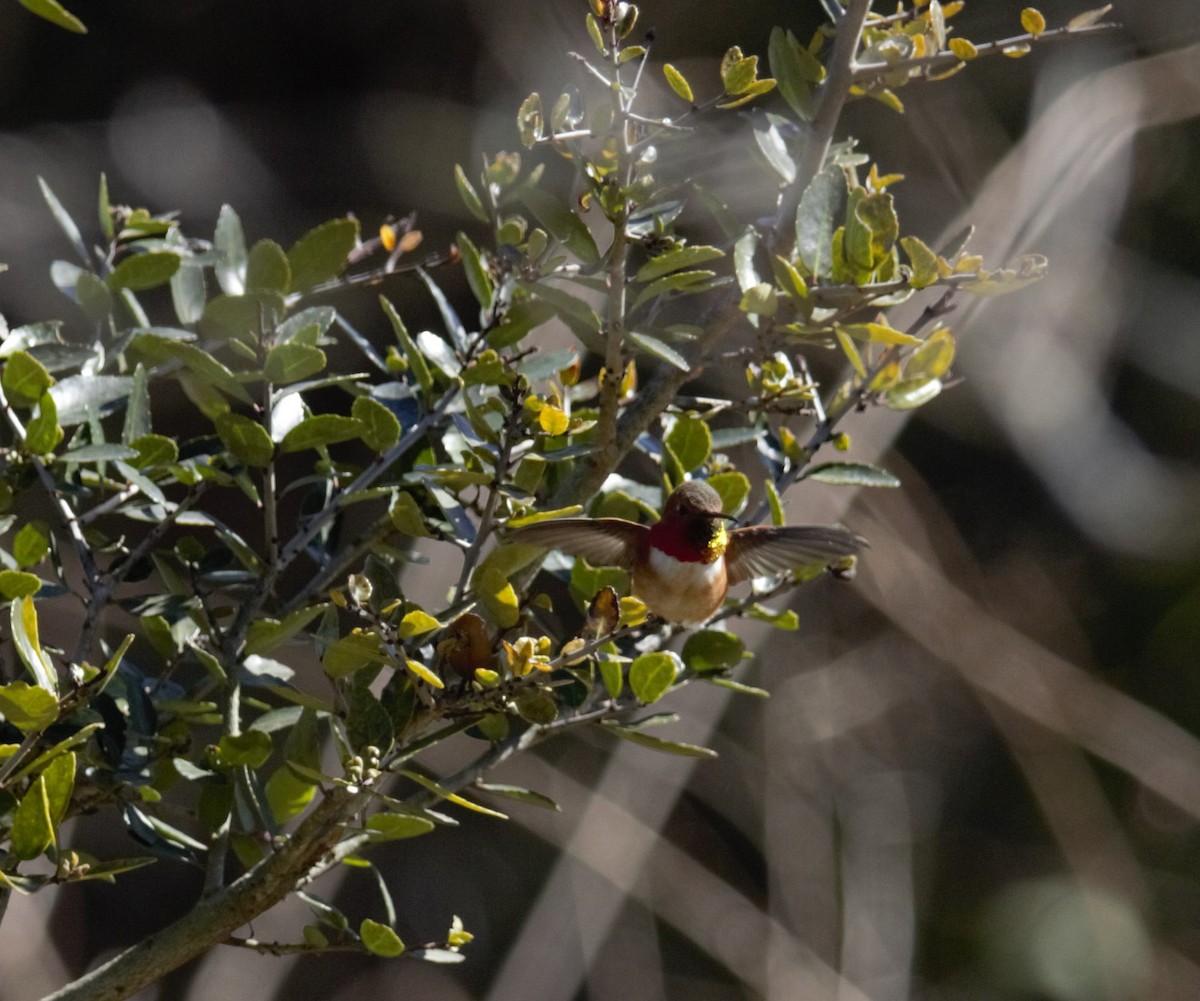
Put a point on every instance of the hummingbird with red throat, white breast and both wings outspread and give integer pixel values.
(683, 565)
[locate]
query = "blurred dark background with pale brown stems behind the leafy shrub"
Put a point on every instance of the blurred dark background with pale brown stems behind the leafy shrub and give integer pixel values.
(979, 775)
